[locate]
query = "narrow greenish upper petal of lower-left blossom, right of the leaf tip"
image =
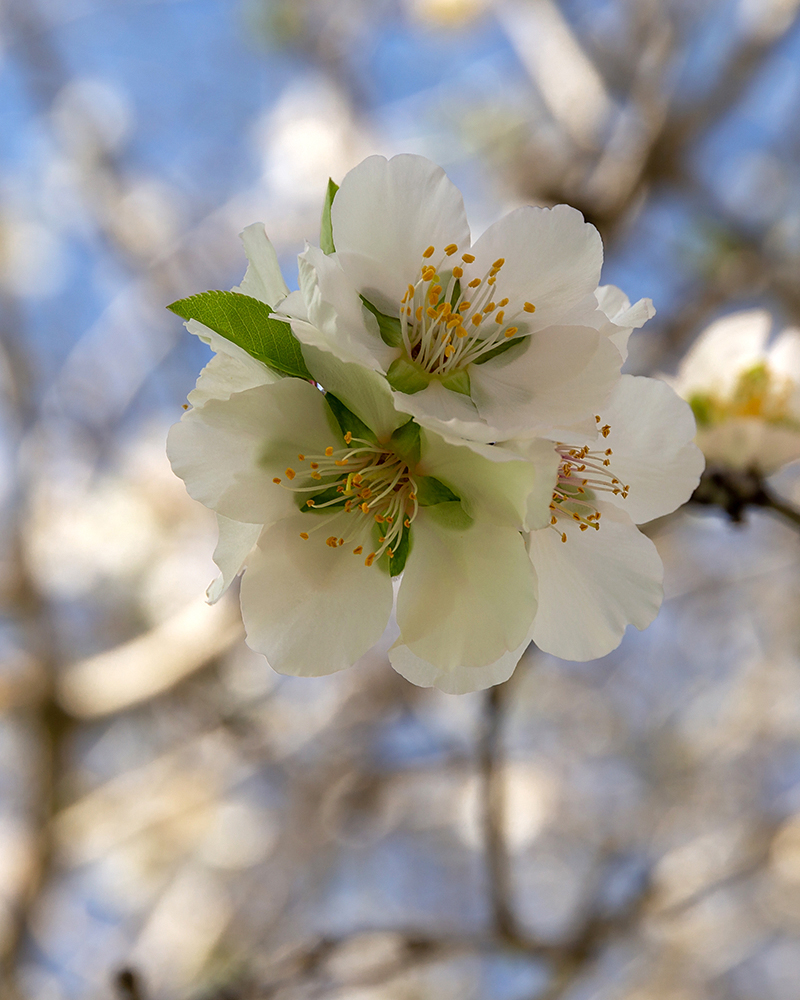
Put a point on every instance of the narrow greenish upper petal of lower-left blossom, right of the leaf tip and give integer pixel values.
(362, 390)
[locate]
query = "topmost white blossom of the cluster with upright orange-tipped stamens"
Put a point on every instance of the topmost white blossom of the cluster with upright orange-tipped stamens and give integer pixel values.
(508, 338)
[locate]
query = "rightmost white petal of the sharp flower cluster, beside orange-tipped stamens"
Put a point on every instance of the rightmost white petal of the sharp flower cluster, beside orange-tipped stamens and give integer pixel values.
(651, 437)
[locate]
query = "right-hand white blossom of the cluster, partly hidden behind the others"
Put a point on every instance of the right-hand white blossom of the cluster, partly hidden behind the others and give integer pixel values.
(597, 573)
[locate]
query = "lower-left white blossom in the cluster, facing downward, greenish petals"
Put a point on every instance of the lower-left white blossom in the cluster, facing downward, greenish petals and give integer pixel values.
(322, 519)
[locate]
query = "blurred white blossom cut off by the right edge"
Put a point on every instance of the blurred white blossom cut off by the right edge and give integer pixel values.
(745, 394)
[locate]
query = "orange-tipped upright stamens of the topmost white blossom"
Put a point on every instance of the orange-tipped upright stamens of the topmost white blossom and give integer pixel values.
(447, 325)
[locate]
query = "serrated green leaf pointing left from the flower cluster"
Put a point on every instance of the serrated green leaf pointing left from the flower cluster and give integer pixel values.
(247, 322)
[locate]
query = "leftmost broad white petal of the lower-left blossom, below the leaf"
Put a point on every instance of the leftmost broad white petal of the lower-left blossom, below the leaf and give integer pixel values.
(228, 451)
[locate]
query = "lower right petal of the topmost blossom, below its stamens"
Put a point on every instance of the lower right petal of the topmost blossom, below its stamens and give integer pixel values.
(554, 379)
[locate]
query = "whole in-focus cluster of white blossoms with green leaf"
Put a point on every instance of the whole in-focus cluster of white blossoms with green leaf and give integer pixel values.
(447, 415)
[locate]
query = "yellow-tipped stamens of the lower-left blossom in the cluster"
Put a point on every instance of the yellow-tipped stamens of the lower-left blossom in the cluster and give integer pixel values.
(363, 484)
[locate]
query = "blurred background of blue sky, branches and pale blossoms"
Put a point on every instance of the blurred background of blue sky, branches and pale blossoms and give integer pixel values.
(177, 821)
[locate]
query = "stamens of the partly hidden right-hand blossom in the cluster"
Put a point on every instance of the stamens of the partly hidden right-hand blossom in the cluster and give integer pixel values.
(583, 472)
